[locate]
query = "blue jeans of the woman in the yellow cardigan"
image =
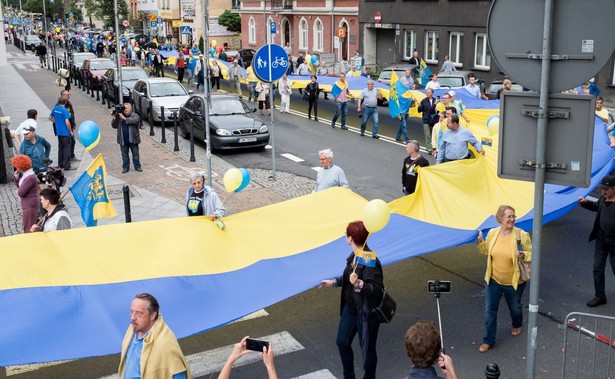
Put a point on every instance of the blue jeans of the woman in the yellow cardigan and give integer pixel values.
(493, 293)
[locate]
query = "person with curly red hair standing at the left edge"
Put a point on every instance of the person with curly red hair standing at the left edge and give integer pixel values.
(27, 189)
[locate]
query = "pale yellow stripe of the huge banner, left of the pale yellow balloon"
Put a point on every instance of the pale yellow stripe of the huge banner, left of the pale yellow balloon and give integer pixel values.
(176, 247)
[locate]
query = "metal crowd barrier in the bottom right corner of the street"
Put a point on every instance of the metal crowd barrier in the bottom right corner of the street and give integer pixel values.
(588, 350)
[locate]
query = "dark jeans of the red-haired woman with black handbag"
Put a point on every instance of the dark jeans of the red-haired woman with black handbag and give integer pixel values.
(349, 326)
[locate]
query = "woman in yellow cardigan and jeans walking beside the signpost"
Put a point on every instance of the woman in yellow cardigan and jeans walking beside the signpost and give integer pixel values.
(502, 275)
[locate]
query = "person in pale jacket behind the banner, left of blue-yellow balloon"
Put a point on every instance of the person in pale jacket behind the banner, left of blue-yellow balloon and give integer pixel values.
(202, 200)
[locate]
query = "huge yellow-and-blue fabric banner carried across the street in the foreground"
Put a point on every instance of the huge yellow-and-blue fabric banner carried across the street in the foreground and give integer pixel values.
(73, 300)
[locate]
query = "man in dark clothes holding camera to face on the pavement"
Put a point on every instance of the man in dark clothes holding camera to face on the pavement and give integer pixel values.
(127, 124)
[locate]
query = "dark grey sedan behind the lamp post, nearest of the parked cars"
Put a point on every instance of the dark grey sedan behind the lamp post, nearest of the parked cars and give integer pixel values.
(232, 123)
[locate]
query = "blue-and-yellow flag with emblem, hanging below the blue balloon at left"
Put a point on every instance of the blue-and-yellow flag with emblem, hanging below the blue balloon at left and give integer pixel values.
(90, 193)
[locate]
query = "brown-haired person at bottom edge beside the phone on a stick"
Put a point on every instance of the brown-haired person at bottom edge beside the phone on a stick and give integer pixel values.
(424, 347)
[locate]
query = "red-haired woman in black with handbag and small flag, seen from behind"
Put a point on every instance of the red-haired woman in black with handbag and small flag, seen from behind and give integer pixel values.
(362, 289)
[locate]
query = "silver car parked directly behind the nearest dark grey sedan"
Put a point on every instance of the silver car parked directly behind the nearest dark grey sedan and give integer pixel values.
(163, 92)
